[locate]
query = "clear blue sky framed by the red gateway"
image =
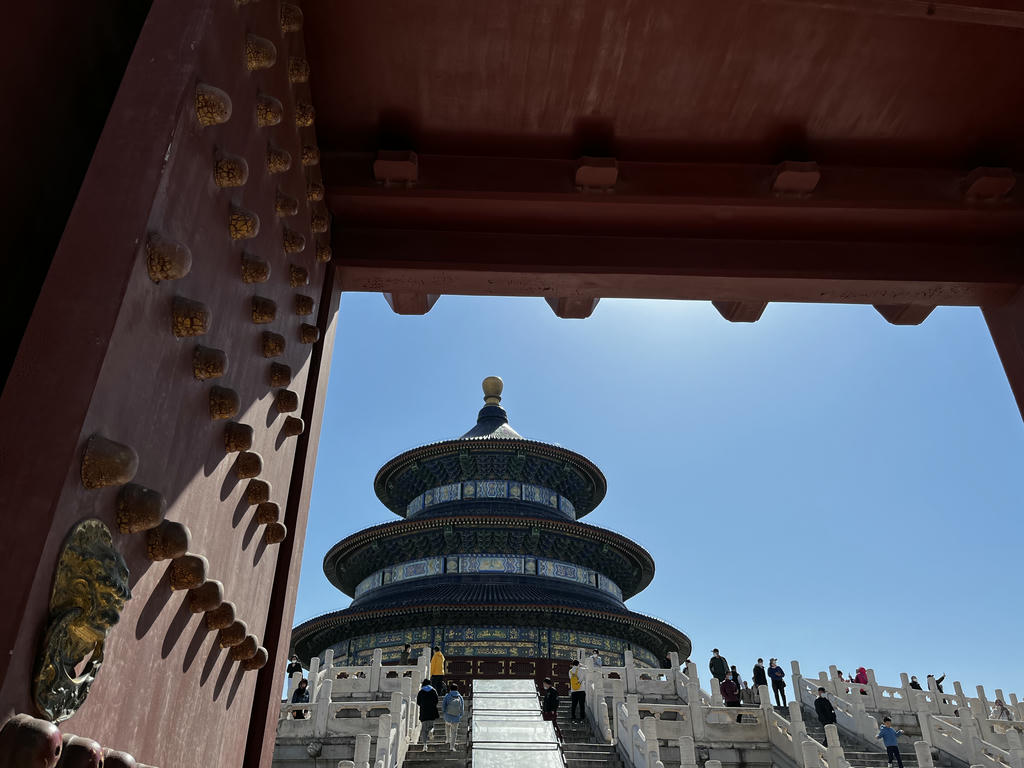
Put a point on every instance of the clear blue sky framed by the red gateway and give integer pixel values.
(819, 486)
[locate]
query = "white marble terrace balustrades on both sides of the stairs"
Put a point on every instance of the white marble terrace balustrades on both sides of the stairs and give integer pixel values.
(647, 712)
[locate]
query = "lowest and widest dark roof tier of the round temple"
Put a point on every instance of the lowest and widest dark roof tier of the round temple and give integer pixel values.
(486, 605)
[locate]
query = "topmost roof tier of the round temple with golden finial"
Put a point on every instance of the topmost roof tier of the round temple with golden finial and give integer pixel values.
(491, 451)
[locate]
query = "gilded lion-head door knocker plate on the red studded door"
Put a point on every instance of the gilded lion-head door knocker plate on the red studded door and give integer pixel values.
(90, 592)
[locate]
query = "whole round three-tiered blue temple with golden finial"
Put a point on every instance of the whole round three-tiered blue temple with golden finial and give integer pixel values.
(490, 563)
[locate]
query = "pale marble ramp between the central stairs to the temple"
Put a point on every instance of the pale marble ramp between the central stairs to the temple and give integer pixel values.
(508, 730)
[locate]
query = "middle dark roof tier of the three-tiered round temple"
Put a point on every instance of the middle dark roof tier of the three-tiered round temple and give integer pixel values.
(359, 557)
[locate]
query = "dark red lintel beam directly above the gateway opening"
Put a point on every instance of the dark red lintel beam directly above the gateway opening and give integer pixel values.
(554, 267)
